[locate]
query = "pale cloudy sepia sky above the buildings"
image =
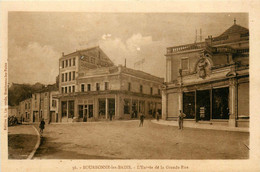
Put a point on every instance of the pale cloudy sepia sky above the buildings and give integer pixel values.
(36, 40)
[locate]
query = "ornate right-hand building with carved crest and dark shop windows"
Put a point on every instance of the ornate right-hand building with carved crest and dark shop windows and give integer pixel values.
(209, 80)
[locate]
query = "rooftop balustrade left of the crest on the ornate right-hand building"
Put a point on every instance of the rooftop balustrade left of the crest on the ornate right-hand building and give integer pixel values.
(186, 47)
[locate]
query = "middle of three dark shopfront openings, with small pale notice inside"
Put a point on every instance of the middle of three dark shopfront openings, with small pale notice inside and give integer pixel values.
(203, 105)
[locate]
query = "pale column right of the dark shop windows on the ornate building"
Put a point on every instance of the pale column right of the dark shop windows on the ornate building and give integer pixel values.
(232, 102)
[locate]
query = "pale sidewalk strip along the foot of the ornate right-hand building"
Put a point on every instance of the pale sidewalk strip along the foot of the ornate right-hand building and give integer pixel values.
(189, 124)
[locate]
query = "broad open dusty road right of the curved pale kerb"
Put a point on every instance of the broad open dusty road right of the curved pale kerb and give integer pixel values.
(125, 140)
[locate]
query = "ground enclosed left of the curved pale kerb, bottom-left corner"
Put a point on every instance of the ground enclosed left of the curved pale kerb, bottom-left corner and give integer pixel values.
(21, 141)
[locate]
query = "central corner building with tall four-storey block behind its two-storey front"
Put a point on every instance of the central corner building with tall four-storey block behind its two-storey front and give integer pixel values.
(93, 88)
